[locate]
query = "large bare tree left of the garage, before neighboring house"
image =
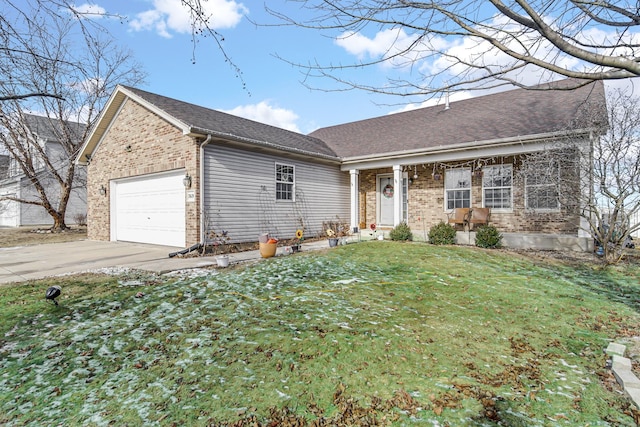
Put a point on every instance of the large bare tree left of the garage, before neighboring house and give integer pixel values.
(66, 79)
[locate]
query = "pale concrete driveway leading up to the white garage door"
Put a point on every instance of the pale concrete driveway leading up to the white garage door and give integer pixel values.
(39, 261)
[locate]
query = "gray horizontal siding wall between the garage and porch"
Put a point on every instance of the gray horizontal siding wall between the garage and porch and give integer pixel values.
(240, 195)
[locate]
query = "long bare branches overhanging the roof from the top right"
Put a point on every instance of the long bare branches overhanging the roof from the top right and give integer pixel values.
(582, 39)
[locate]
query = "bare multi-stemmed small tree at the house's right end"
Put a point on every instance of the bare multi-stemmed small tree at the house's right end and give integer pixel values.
(605, 168)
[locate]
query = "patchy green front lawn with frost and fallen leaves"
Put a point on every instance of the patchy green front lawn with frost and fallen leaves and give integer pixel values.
(376, 333)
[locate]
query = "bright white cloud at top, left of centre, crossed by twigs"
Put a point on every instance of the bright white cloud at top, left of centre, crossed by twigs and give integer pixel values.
(171, 16)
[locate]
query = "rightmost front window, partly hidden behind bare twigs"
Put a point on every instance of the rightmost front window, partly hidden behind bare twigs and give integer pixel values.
(541, 182)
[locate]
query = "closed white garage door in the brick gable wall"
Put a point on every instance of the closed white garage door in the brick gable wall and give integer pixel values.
(150, 209)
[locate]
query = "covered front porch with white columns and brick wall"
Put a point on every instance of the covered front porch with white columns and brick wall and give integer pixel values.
(422, 190)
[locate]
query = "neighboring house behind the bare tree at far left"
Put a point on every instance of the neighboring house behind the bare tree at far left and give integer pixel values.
(14, 183)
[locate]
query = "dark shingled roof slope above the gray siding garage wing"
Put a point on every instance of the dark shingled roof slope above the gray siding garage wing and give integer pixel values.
(208, 121)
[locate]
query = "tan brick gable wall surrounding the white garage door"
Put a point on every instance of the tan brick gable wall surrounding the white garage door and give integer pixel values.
(155, 146)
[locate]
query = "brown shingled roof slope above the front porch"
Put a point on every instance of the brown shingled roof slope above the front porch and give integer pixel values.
(509, 114)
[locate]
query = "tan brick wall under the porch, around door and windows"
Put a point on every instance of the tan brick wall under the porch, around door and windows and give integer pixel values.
(426, 206)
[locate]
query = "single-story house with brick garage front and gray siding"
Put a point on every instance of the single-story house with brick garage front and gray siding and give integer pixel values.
(167, 172)
